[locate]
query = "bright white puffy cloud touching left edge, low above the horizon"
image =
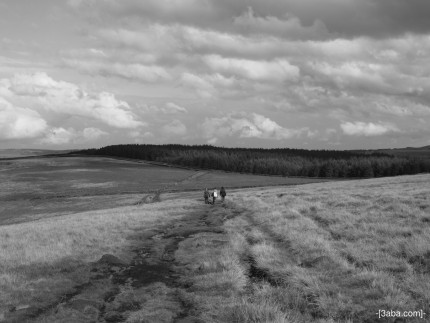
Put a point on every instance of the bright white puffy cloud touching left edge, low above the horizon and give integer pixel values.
(19, 123)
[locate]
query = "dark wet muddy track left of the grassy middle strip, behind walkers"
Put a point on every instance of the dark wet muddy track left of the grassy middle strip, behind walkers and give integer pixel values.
(148, 285)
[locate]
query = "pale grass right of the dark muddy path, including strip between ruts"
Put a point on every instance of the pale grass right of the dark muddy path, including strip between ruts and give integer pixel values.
(332, 252)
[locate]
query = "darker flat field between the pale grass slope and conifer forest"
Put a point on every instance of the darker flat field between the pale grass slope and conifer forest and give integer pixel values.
(32, 188)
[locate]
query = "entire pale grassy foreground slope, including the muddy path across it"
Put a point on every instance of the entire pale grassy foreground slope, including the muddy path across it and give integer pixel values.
(326, 252)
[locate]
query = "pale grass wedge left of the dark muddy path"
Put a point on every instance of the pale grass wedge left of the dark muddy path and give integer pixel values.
(43, 259)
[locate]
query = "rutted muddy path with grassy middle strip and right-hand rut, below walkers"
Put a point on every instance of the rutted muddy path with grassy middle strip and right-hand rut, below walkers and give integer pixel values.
(177, 271)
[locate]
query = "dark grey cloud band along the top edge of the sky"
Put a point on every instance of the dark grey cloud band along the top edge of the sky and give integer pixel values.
(345, 17)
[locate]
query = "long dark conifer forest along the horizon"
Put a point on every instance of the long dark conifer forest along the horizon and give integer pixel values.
(282, 161)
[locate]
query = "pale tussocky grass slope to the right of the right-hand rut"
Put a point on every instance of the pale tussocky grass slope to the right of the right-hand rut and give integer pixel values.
(339, 251)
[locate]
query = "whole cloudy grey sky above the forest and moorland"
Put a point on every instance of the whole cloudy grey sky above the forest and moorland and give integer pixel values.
(312, 74)
